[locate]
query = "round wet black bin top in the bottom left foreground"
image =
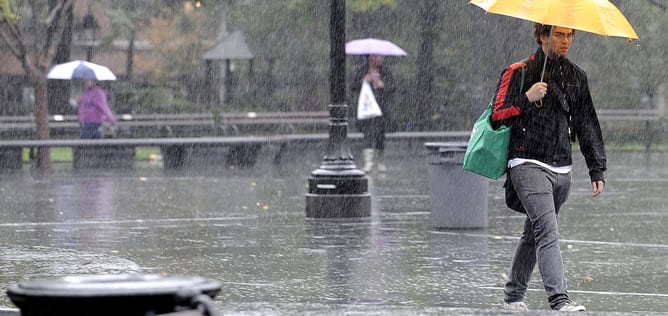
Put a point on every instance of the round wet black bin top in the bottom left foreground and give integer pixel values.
(107, 295)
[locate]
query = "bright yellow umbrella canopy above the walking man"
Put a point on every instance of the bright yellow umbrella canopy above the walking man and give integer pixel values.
(595, 16)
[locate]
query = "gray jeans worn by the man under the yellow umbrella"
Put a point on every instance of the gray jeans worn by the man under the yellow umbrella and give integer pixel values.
(542, 193)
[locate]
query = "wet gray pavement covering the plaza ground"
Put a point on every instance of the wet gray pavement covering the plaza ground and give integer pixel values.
(247, 229)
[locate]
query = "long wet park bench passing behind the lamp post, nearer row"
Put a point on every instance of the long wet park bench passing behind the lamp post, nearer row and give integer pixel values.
(177, 153)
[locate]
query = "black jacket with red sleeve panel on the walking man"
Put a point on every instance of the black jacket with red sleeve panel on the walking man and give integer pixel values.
(567, 113)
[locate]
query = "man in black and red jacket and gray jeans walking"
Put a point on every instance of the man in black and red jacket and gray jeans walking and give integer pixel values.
(554, 109)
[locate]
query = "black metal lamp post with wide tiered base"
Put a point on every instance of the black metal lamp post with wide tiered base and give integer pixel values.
(338, 189)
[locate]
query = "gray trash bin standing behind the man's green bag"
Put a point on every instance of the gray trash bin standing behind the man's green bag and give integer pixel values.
(458, 197)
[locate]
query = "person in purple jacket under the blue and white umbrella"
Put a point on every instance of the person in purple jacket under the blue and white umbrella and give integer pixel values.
(93, 111)
